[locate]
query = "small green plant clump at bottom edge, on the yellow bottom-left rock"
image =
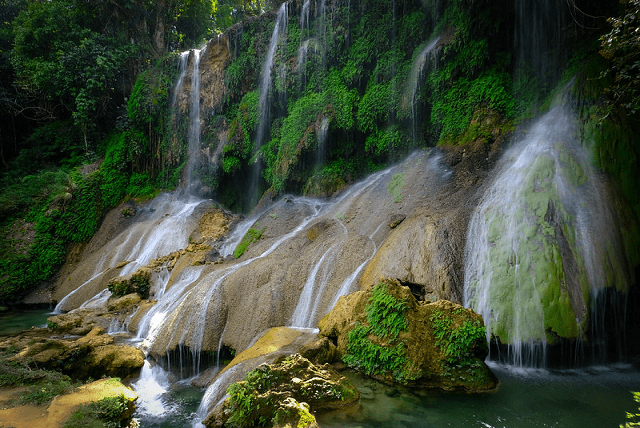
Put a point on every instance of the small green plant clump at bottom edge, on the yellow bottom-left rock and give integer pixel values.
(106, 413)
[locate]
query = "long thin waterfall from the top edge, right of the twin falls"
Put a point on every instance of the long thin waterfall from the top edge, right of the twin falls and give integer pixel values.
(264, 102)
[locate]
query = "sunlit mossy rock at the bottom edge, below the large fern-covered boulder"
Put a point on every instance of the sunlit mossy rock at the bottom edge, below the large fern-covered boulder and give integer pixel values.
(284, 394)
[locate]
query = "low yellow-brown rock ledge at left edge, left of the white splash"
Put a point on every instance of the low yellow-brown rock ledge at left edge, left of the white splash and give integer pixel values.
(94, 355)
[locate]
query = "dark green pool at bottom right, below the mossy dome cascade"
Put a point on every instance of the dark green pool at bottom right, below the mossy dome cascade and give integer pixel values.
(595, 397)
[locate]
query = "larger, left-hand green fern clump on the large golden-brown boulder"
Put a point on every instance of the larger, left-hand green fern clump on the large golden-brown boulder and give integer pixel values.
(386, 320)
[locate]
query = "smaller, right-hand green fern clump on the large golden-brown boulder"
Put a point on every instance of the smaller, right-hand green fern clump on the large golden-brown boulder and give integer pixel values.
(457, 343)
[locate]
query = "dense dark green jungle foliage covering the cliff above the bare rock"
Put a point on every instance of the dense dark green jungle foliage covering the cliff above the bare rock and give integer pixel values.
(86, 92)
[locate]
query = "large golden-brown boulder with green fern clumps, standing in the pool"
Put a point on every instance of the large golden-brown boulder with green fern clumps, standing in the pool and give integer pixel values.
(387, 334)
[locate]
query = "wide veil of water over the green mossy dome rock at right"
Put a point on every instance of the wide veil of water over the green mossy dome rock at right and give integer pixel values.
(536, 250)
